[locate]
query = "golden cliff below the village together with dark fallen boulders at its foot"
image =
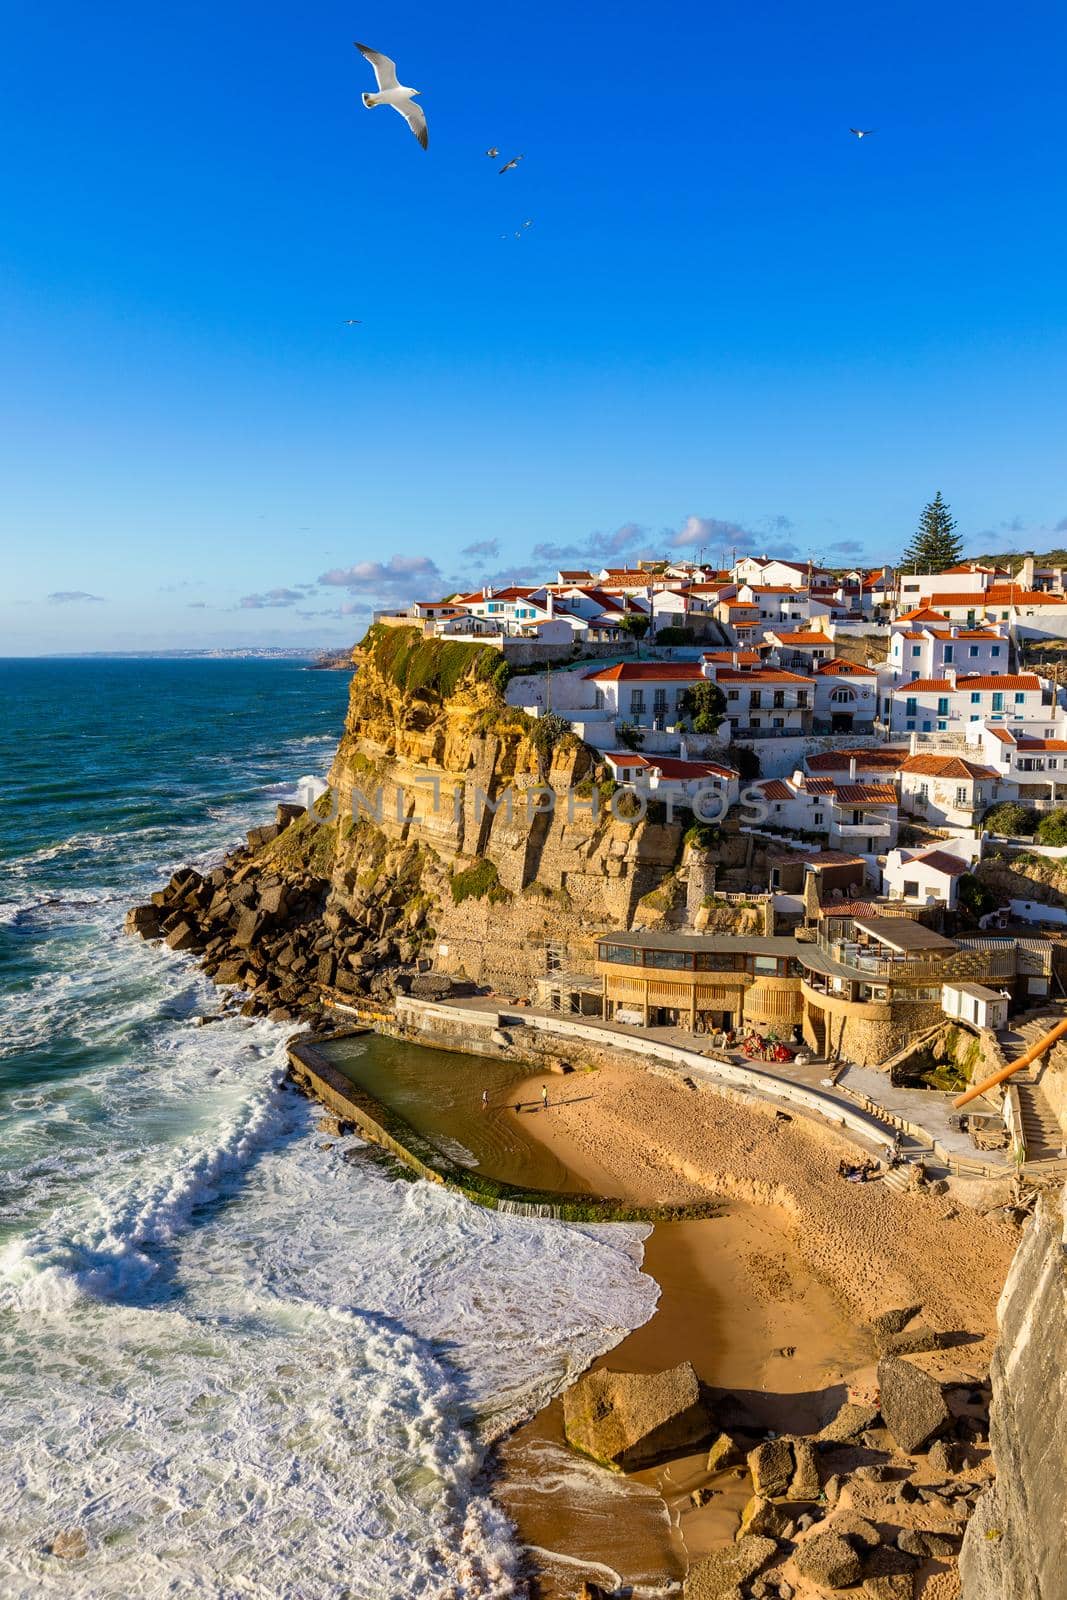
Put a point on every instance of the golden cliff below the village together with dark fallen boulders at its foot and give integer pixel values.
(455, 830)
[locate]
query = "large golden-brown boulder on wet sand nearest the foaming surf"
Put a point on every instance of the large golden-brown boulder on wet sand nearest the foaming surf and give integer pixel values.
(633, 1420)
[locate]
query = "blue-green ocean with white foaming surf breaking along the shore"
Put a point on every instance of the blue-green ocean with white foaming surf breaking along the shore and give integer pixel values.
(234, 1362)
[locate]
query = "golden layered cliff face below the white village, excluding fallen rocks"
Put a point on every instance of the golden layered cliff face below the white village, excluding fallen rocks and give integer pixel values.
(444, 791)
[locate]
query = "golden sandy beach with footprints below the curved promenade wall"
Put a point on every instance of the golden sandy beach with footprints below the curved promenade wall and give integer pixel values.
(770, 1302)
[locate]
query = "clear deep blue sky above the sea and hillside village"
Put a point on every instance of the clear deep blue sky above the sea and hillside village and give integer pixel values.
(725, 310)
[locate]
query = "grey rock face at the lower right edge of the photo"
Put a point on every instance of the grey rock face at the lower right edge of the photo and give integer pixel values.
(1017, 1542)
